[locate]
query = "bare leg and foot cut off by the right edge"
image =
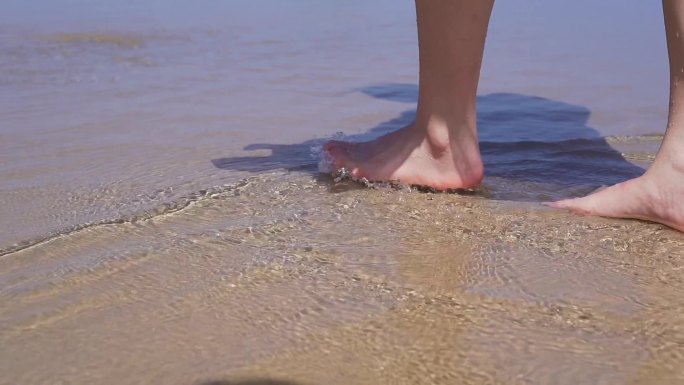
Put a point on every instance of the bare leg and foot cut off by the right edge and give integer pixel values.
(658, 195)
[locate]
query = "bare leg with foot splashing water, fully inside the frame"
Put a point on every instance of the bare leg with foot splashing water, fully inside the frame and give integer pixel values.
(440, 148)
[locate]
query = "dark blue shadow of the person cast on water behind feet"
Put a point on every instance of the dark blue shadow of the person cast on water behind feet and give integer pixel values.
(522, 138)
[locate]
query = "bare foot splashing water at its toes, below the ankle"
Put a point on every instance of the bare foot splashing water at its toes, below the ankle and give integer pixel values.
(434, 156)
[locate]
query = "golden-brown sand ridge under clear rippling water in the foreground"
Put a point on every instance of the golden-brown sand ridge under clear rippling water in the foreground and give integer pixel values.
(280, 277)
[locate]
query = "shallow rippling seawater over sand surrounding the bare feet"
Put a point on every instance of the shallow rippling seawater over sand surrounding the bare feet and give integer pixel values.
(163, 220)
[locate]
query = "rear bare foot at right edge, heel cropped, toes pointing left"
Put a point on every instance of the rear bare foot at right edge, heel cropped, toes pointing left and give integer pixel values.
(657, 196)
